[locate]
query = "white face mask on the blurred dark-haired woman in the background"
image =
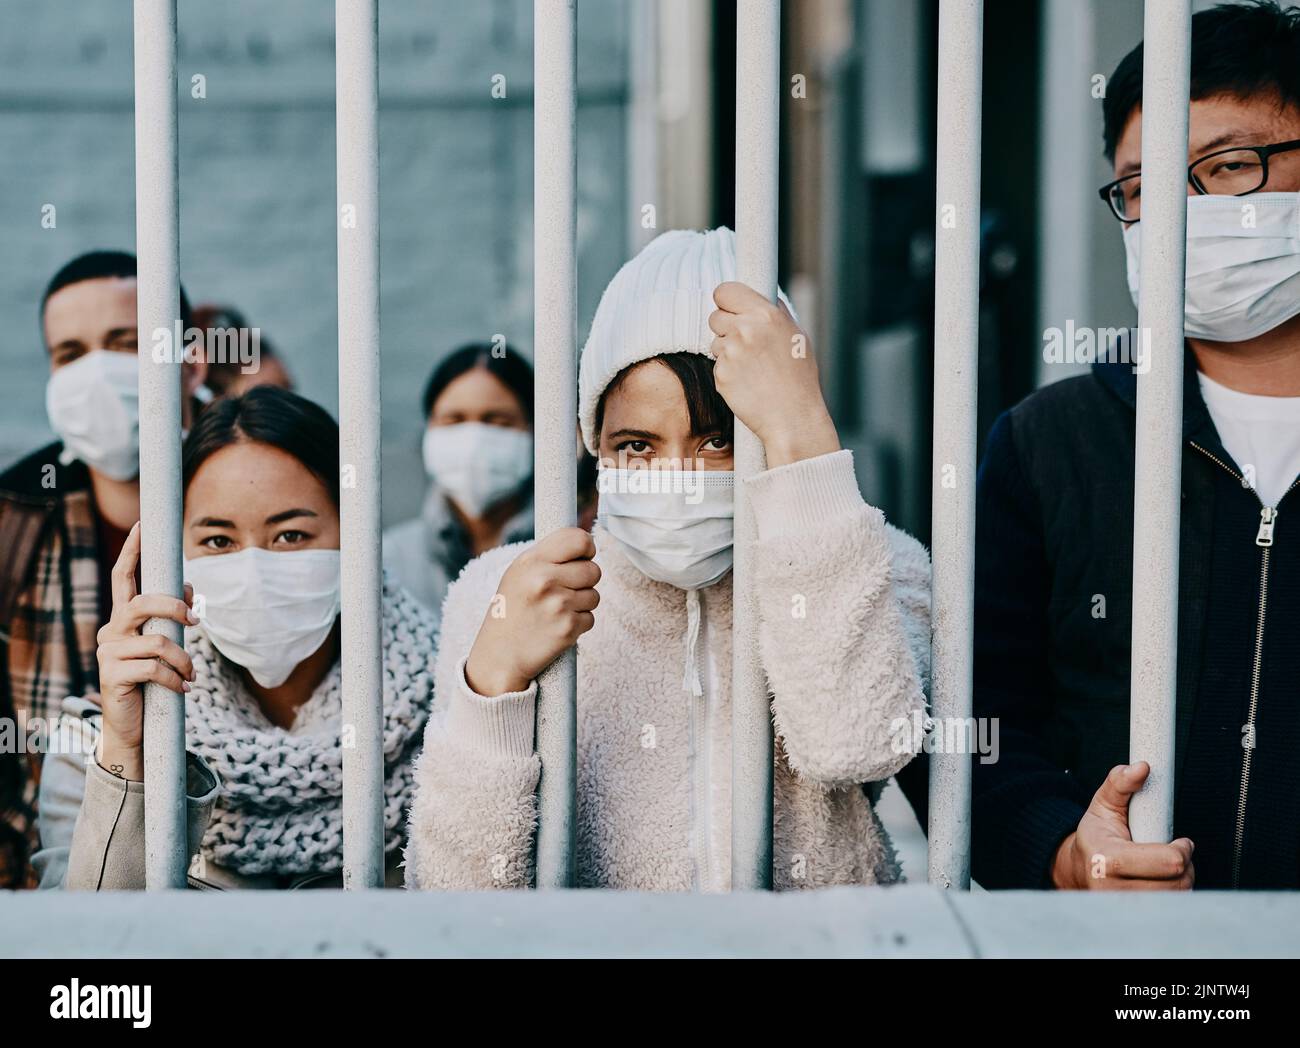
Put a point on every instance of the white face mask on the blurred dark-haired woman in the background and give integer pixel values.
(478, 465)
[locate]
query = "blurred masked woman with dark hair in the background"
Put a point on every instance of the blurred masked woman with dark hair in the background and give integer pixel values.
(479, 457)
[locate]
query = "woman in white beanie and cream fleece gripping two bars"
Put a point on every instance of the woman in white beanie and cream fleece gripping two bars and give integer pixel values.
(675, 349)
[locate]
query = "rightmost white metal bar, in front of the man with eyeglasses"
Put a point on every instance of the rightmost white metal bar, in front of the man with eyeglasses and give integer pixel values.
(1158, 470)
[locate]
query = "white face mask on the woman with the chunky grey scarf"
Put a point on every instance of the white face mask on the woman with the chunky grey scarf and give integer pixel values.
(267, 612)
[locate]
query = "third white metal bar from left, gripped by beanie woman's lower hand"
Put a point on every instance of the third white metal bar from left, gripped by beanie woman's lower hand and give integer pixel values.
(554, 345)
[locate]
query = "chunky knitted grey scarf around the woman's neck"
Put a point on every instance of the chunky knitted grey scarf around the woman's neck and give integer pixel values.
(280, 809)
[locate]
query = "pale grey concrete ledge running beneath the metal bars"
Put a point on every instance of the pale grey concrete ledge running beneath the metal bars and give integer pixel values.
(907, 921)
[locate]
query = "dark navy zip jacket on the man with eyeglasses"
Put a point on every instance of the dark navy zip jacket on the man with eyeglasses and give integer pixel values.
(1054, 620)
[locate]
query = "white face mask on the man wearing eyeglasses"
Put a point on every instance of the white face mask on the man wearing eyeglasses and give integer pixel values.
(1243, 265)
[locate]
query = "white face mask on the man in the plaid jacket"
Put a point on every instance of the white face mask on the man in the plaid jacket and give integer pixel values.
(94, 406)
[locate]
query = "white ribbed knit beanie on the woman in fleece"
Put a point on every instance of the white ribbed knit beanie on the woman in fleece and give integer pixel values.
(657, 304)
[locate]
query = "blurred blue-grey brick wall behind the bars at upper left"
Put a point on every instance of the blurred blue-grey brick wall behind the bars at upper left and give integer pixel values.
(258, 181)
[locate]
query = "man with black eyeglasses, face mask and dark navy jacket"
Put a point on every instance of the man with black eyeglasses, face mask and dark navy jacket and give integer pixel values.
(1055, 526)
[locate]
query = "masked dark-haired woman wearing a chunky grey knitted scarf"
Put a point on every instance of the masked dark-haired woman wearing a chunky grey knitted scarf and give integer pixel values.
(259, 674)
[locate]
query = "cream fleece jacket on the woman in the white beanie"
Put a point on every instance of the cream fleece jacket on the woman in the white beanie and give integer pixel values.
(844, 636)
